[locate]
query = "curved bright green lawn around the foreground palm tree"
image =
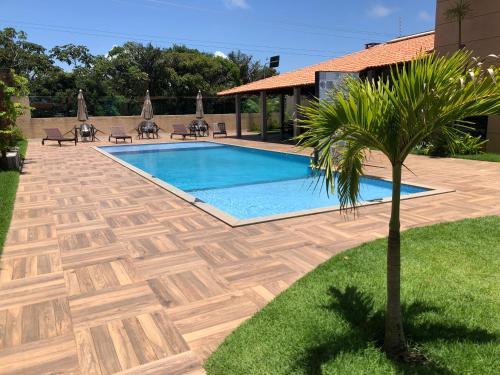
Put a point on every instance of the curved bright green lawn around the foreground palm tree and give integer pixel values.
(331, 321)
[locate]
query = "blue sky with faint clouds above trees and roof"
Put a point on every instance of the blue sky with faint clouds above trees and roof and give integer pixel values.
(301, 32)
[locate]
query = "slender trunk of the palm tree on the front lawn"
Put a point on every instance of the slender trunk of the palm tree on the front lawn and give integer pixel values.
(394, 343)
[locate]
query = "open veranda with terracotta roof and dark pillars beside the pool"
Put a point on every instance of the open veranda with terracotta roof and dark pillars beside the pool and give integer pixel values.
(300, 85)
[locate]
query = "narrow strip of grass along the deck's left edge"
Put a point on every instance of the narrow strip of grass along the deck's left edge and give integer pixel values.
(8, 188)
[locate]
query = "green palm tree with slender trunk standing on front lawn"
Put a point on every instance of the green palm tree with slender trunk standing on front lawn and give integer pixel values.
(430, 95)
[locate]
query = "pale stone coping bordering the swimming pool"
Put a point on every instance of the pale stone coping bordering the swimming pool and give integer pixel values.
(234, 222)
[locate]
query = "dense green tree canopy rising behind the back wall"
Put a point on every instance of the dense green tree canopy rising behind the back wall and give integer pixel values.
(124, 73)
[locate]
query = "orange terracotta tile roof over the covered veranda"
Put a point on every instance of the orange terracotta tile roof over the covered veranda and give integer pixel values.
(391, 52)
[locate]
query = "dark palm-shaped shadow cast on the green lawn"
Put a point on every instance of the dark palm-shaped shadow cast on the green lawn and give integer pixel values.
(366, 328)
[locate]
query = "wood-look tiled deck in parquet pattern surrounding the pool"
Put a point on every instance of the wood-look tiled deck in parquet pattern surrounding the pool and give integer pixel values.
(104, 272)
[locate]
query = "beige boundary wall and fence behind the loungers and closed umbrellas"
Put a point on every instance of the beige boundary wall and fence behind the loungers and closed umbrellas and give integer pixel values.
(105, 112)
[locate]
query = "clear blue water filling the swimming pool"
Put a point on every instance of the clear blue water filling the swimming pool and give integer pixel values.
(245, 183)
